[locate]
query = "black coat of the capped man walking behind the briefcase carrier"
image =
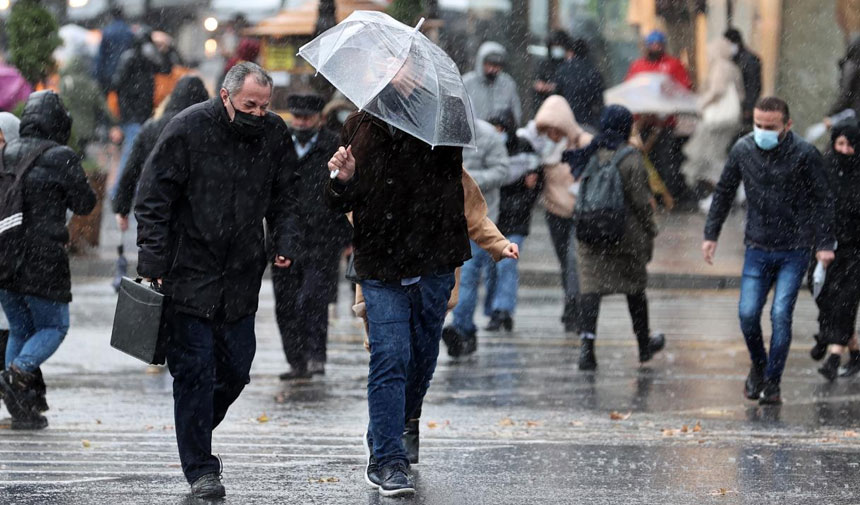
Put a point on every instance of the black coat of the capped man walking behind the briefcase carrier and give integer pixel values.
(324, 232)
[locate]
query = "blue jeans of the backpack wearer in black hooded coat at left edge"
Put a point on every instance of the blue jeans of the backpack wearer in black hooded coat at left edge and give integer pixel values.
(37, 327)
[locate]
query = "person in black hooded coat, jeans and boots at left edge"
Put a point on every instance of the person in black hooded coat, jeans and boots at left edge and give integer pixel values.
(35, 283)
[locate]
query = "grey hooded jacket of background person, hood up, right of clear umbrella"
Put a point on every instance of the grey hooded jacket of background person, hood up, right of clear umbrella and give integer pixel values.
(491, 97)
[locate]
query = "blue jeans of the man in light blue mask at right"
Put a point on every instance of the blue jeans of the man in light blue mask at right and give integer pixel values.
(783, 270)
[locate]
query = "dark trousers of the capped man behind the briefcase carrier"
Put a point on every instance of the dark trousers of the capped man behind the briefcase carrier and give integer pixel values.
(302, 295)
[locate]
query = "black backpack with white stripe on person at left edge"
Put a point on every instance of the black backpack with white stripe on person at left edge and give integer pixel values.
(12, 206)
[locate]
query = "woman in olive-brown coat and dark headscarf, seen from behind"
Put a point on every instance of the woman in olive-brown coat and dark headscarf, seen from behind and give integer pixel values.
(618, 266)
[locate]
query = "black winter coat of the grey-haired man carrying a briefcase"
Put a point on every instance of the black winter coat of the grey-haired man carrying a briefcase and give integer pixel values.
(204, 193)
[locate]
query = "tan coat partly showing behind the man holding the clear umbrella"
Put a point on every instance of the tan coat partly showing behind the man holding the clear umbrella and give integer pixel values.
(481, 229)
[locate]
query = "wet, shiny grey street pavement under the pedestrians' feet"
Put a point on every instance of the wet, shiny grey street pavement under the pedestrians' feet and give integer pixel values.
(515, 424)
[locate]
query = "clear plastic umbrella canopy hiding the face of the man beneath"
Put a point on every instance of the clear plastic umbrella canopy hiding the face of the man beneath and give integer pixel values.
(395, 73)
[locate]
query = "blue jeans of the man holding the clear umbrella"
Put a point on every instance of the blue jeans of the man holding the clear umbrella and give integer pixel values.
(405, 326)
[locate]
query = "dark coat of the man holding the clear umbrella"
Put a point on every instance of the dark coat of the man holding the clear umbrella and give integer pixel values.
(407, 203)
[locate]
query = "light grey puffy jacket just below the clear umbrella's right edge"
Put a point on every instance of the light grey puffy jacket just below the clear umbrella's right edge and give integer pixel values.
(488, 164)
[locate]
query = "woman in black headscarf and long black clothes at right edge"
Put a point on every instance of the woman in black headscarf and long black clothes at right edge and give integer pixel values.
(840, 295)
